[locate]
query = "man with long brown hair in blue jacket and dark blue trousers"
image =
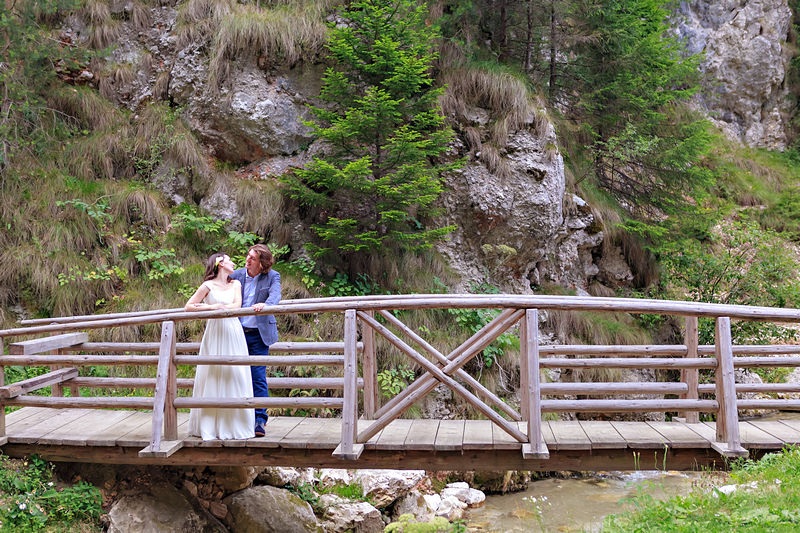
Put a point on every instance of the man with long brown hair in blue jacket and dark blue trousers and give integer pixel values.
(261, 286)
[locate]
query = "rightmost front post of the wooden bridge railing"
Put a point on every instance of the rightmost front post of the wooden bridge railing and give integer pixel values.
(728, 440)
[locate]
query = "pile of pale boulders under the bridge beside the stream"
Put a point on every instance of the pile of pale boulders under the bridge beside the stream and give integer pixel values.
(220, 499)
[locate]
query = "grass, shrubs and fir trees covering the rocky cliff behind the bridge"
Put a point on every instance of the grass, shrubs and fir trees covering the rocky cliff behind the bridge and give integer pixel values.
(79, 173)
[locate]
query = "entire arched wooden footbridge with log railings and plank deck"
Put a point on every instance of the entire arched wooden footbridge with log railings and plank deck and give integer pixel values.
(67, 414)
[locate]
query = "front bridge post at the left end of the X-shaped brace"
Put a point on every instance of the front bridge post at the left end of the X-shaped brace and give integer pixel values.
(347, 448)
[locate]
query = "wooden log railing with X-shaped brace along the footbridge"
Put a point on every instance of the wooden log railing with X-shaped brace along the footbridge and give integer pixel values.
(375, 320)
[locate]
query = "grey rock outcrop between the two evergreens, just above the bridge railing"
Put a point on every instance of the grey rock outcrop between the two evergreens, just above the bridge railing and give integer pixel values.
(517, 230)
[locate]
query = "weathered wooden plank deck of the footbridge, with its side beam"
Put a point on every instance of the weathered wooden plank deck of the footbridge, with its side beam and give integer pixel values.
(104, 436)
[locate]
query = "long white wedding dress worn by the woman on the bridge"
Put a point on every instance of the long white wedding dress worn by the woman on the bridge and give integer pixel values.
(223, 336)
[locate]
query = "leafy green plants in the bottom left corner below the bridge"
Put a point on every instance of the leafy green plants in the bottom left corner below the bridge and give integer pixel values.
(31, 501)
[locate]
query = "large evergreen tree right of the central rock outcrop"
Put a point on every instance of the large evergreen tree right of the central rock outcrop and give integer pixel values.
(629, 82)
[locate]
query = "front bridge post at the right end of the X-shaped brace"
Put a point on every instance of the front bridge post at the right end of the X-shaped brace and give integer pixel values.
(531, 407)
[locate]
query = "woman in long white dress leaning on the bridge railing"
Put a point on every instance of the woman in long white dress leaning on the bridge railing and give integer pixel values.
(223, 337)
